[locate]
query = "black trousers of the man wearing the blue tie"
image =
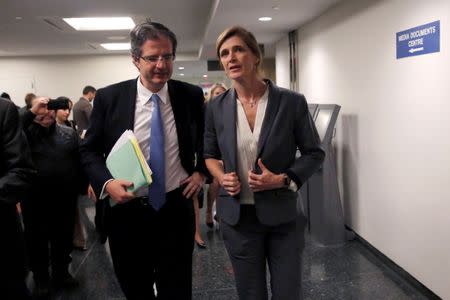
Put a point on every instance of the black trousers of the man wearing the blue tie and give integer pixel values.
(150, 247)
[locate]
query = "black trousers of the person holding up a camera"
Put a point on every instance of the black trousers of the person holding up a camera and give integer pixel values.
(49, 219)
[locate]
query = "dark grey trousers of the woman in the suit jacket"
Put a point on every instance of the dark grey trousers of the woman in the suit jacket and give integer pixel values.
(251, 245)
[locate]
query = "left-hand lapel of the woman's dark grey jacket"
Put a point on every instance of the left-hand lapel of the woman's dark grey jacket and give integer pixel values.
(229, 110)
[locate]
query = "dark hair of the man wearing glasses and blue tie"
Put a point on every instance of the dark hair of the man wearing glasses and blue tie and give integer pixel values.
(150, 31)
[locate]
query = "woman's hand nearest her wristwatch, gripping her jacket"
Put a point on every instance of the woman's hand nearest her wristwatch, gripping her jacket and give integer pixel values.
(264, 181)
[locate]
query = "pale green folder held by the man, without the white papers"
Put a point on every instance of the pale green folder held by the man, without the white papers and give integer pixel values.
(124, 163)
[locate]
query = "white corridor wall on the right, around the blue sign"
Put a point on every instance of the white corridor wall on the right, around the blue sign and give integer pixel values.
(394, 128)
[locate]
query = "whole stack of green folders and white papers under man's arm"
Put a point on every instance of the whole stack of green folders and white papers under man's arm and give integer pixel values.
(126, 161)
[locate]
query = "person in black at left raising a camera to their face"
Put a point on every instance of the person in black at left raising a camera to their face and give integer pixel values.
(49, 209)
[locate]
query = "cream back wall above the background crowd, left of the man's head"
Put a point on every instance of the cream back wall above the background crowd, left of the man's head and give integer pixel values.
(55, 76)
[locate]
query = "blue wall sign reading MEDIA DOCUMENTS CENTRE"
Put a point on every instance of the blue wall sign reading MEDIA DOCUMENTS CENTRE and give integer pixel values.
(419, 40)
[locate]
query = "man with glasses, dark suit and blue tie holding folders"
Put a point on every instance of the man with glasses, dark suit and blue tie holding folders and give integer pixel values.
(151, 231)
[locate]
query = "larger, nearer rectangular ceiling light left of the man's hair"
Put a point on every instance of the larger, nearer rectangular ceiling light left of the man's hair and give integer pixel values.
(119, 23)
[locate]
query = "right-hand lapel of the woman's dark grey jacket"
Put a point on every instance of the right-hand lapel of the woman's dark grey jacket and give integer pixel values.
(271, 111)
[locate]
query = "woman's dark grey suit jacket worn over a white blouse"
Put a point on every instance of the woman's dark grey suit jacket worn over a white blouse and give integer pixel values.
(287, 126)
